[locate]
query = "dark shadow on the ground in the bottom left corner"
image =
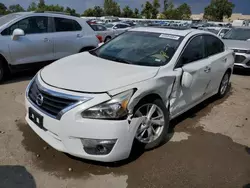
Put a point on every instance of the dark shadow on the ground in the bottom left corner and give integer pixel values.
(16, 176)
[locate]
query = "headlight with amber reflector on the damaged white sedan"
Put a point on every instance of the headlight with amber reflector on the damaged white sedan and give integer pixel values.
(116, 108)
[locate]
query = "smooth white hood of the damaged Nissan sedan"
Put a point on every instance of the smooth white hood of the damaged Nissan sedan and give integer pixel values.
(87, 73)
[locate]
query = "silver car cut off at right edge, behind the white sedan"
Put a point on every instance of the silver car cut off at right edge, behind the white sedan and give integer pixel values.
(238, 39)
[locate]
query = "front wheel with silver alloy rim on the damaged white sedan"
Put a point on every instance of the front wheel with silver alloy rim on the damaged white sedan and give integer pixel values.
(153, 130)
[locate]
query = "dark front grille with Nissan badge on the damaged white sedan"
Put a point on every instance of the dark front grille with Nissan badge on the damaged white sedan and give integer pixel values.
(50, 104)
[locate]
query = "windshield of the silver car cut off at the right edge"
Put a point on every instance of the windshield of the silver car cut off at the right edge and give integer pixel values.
(238, 34)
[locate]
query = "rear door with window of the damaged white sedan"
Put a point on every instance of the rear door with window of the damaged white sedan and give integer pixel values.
(217, 56)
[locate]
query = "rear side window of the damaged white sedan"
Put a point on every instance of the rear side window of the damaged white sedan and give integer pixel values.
(213, 45)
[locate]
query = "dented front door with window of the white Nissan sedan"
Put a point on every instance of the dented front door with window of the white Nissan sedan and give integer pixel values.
(194, 62)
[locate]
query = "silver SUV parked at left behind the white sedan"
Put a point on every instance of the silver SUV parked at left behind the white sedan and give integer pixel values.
(31, 39)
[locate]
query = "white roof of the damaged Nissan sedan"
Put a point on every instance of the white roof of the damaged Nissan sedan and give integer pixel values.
(183, 33)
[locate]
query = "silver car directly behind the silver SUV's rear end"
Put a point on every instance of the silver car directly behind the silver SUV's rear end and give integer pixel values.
(102, 31)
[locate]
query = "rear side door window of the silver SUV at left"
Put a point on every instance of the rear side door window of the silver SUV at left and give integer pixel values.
(64, 25)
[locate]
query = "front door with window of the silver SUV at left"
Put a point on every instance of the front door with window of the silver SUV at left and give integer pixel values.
(36, 45)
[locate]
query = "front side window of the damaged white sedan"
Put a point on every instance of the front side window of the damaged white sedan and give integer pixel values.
(194, 50)
